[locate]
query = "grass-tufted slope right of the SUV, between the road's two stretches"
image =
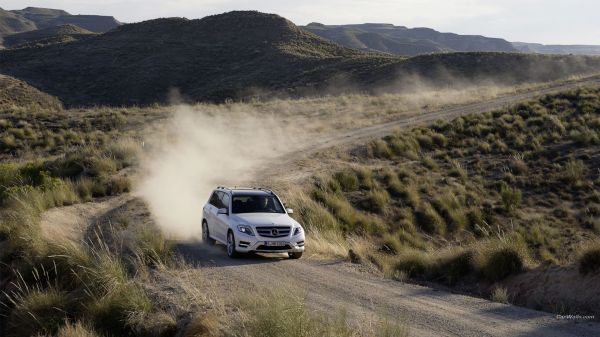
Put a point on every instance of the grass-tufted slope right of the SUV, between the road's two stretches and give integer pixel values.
(476, 199)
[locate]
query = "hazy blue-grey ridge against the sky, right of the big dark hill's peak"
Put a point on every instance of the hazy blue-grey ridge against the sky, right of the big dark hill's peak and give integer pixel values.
(406, 41)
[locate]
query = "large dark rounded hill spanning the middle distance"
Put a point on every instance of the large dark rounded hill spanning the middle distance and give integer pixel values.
(241, 54)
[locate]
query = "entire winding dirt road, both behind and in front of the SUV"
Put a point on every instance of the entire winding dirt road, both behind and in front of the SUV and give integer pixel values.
(330, 285)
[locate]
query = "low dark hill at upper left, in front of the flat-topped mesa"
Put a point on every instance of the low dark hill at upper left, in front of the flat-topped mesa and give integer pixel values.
(46, 36)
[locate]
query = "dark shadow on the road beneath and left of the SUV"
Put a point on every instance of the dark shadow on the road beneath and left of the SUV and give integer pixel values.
(201, 255)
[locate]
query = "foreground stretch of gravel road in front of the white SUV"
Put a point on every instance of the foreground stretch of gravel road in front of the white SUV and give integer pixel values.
(331, 285)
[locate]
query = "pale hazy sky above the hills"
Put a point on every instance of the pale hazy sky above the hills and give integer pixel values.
(542, 21)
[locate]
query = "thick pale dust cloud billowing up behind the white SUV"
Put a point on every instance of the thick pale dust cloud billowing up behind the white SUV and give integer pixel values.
(197, 151)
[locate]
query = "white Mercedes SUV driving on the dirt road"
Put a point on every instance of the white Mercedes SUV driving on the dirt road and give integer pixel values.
(251, 220)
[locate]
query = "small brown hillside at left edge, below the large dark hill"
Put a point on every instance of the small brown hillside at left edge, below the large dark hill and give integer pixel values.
(15, 93)
